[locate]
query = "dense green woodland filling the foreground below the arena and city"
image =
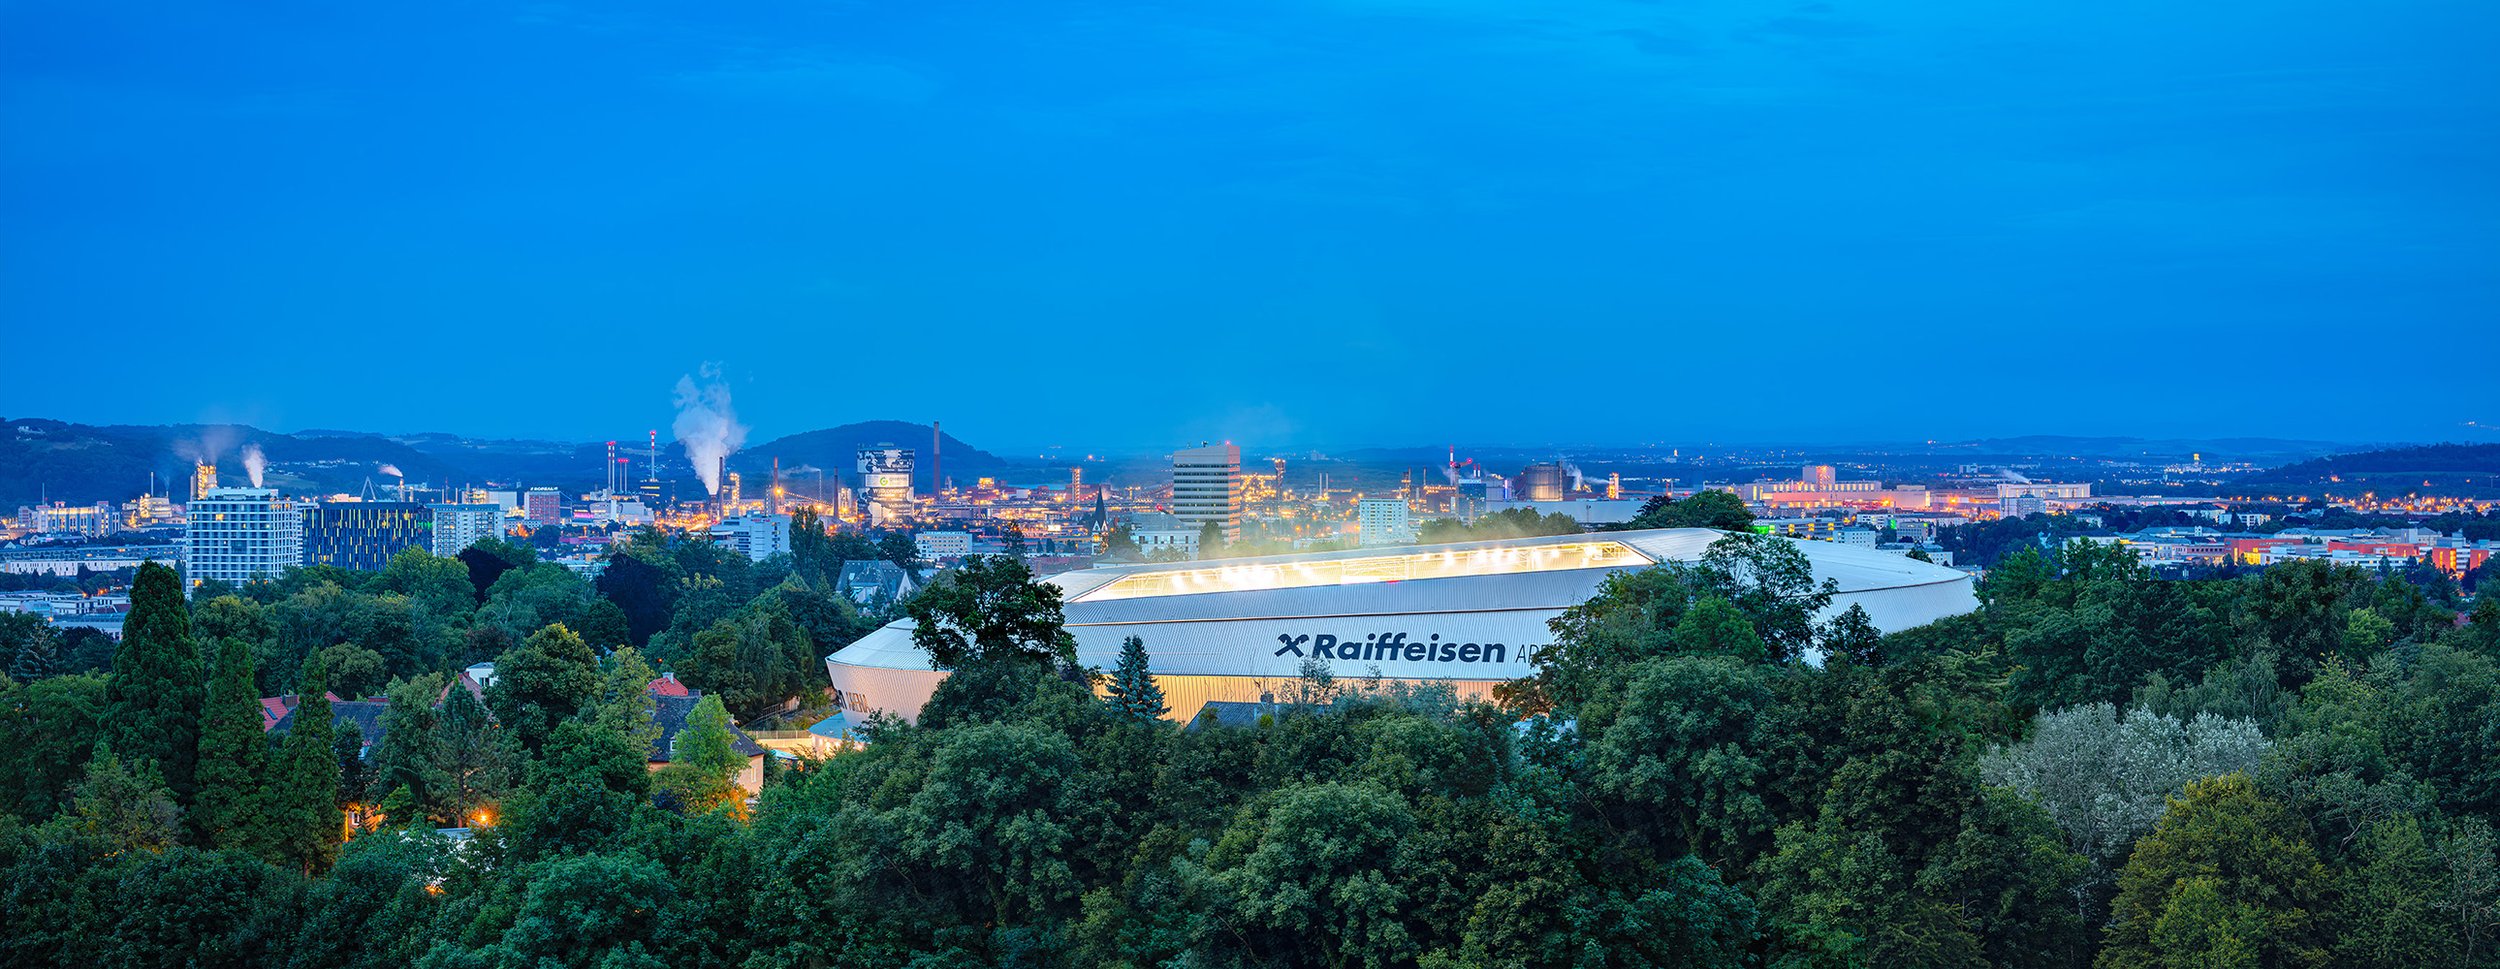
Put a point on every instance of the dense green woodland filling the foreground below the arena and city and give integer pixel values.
(2296, 768)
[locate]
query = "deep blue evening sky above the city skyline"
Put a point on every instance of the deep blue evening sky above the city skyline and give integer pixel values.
(1329, 224)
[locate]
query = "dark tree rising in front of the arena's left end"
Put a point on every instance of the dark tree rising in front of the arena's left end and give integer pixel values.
(991, 611)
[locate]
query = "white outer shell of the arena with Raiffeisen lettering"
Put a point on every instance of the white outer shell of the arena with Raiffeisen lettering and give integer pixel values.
(1241, 641)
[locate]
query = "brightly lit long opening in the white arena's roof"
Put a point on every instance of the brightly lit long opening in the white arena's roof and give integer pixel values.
(1381, 568)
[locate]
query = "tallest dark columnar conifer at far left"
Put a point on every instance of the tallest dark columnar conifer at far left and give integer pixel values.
(154, 698)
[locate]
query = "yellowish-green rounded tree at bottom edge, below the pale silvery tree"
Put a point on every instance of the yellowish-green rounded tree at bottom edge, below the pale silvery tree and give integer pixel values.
(2226, 878)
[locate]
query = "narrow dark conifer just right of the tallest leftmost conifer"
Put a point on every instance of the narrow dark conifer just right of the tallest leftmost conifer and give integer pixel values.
(234, 758)
